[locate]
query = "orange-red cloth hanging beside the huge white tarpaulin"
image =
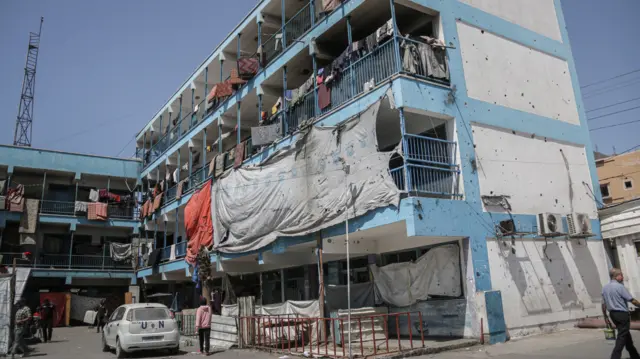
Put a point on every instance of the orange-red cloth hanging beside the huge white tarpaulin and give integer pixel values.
(197, 222)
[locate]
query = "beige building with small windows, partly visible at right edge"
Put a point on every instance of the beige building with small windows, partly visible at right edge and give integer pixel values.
(619, 176)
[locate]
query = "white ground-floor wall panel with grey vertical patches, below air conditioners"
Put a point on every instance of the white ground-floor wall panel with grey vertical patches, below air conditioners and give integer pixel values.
(545, 284)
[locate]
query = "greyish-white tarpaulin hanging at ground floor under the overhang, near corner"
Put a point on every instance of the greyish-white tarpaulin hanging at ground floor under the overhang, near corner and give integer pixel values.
(437, 272)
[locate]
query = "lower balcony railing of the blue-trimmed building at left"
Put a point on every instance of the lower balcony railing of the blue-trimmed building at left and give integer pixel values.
(65, 261)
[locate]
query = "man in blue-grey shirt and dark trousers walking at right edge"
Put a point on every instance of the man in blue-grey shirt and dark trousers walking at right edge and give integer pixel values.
(615, 298)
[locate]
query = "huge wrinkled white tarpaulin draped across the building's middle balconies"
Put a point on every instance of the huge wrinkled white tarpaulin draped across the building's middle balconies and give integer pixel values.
(304, 187)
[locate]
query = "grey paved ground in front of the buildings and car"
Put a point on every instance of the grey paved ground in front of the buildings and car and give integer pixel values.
(79, 342)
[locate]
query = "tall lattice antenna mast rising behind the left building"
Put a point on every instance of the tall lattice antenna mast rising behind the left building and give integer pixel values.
(22, 135)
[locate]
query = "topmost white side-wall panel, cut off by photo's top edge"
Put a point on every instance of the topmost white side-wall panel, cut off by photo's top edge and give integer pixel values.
(535, 15)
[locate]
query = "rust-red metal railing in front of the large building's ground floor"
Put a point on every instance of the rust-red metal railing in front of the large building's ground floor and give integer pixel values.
(371, 335)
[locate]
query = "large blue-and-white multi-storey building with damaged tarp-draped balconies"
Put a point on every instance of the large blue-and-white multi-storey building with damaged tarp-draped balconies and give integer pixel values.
(493, 131)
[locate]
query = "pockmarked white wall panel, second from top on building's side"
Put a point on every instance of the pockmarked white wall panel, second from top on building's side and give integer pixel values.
(506, 73)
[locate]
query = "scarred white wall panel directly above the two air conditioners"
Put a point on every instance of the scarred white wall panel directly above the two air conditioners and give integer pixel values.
(532, 171)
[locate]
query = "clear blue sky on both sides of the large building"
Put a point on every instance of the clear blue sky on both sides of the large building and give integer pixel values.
(106, 67)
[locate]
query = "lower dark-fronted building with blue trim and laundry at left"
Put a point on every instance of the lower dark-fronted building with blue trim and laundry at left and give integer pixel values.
(68, 249)
